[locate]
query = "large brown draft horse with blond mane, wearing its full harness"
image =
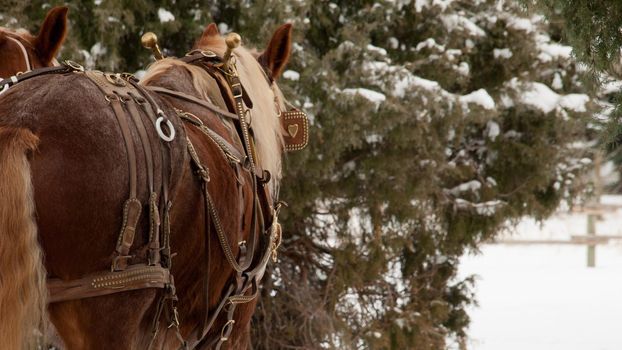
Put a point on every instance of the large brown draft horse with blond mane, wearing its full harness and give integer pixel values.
(110, 188)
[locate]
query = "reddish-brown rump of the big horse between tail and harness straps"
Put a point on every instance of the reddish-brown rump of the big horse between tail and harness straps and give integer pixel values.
(80, 169)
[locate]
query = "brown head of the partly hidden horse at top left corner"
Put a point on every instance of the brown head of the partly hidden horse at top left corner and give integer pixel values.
(21, 52)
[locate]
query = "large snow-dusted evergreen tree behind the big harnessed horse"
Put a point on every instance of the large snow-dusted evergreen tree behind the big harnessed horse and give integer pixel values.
(434, 124)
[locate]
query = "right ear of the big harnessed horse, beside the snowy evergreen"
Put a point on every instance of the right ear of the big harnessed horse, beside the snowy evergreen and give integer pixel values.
(277, 53)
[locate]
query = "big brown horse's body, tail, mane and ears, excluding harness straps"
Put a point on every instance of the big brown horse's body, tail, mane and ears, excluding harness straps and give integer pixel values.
(63, 183)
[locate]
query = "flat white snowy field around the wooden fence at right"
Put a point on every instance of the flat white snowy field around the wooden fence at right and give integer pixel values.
(543, 297)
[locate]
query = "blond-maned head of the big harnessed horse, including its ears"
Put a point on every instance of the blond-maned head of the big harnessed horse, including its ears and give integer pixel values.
(258, 74)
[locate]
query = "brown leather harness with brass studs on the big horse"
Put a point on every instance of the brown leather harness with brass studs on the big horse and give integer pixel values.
(135, 109)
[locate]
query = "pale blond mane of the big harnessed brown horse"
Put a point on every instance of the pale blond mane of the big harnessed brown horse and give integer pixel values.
(265, 120)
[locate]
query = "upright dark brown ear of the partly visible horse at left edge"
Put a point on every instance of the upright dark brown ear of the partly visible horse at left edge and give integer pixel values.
(52, 34)
